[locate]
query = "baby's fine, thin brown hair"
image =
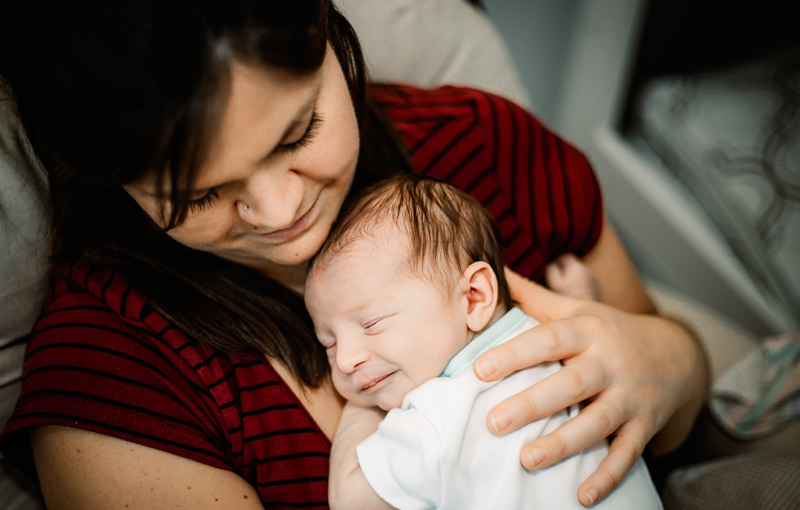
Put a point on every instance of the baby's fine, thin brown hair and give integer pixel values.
(446, 228)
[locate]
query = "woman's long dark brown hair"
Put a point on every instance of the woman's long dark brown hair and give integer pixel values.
(110, 90)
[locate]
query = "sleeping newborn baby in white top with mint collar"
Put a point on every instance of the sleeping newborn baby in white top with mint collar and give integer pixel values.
(407, 292)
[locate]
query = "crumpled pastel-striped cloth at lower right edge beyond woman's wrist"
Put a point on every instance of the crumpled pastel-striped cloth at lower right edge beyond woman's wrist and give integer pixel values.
(761, 392)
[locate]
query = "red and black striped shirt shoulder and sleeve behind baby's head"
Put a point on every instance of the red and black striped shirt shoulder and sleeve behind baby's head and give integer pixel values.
(541, 190)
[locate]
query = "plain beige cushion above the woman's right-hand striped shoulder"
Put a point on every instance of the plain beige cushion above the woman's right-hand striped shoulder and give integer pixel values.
(453, 43)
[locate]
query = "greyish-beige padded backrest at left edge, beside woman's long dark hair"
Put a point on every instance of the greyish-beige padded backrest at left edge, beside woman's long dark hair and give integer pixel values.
(24, 274)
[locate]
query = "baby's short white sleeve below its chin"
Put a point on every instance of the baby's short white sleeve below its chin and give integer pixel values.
(401, 460)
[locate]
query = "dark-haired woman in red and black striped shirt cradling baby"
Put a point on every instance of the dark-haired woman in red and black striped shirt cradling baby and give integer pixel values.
(198, 156)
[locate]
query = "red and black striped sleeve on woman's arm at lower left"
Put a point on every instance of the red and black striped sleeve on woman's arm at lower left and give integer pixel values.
(88, 368)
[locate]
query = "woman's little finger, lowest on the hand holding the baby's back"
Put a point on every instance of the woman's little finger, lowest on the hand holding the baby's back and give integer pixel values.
(625, 450)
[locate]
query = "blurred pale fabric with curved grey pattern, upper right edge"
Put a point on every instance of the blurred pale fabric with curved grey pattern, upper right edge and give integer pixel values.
(733, 137)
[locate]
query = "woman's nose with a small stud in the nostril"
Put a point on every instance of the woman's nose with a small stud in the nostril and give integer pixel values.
(272, 199)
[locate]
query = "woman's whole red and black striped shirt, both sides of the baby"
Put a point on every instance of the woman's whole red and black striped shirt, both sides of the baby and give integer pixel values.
(101, 359)
